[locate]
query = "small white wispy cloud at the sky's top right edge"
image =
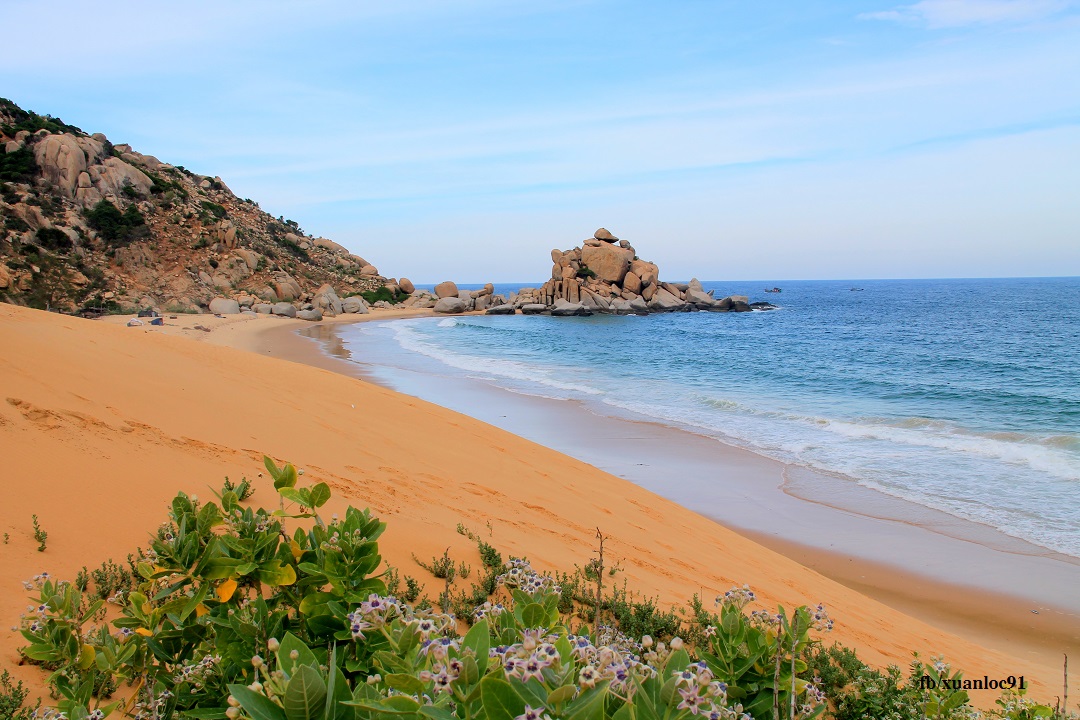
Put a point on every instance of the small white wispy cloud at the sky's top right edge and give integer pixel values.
(941, 15)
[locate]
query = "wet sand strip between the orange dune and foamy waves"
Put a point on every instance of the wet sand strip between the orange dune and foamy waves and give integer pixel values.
(1038, 624)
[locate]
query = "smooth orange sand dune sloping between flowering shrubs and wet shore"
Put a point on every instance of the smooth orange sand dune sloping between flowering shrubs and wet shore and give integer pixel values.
(104, 424)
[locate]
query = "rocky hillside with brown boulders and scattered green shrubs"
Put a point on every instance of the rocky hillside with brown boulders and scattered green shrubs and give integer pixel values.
(91, 227)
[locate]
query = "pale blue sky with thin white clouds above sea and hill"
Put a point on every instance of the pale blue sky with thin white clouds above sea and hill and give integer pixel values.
(464, 140)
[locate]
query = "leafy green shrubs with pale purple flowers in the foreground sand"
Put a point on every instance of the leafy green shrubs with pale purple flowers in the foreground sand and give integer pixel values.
(250, 614)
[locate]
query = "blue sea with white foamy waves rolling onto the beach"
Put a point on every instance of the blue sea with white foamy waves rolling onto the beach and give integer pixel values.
(963, 396)
